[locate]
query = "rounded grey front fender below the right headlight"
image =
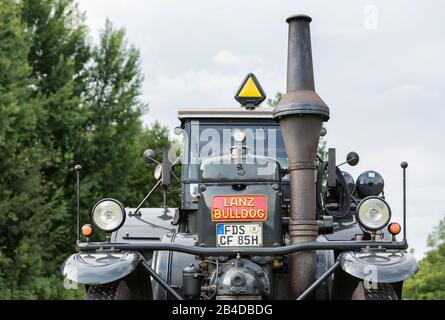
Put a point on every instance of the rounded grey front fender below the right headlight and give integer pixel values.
(379, 266)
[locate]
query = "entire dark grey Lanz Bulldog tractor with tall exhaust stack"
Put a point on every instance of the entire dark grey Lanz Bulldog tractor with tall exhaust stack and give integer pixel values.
(261, 216)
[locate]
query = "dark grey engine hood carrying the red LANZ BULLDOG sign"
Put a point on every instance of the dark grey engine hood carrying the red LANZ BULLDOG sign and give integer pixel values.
(243, 193)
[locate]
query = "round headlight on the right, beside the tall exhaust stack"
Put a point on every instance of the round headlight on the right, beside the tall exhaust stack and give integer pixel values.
(373, 213)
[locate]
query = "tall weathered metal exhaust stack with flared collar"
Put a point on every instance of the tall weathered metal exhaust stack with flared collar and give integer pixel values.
(301, 113)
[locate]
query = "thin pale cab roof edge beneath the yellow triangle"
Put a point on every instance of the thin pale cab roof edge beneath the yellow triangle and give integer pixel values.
(224, 113)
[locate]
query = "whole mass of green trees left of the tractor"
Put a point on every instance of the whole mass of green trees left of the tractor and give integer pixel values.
(63, 101)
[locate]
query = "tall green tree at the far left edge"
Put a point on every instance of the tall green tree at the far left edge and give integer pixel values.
(26, 198)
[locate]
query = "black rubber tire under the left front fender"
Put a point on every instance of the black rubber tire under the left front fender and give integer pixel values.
(117, 290)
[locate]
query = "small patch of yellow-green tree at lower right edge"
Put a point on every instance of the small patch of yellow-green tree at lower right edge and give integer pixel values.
(429, 282)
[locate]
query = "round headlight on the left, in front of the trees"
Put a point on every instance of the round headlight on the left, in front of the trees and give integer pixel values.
(108, 215)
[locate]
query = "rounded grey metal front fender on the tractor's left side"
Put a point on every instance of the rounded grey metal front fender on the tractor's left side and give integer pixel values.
(99, 268)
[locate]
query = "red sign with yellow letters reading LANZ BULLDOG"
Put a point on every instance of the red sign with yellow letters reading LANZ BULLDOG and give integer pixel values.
(239, 208)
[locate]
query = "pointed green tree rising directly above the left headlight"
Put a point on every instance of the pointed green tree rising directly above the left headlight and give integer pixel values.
(114, 123)
